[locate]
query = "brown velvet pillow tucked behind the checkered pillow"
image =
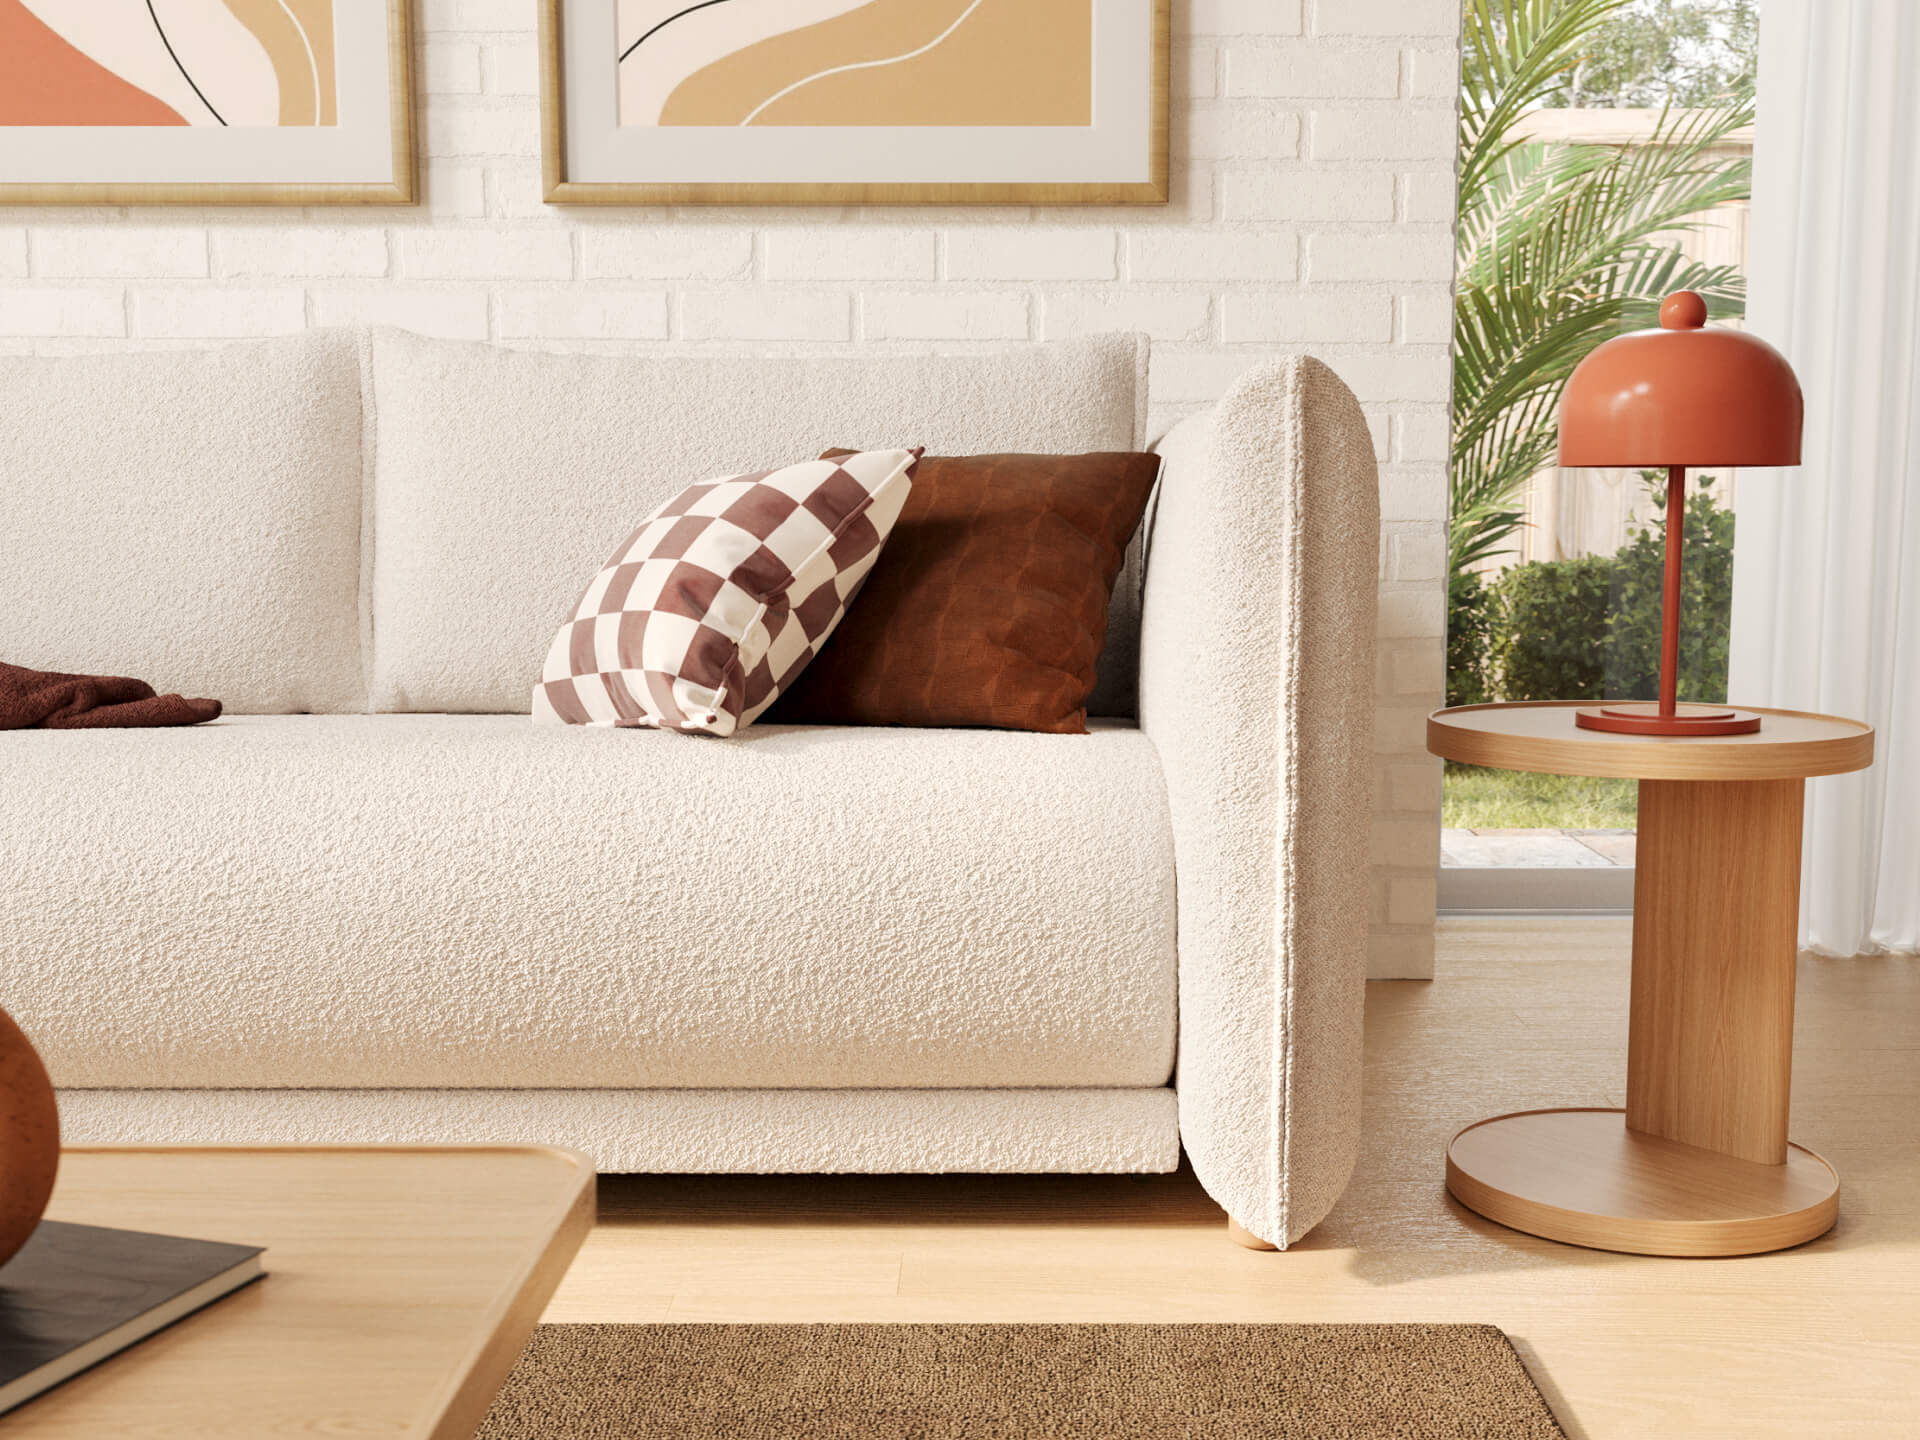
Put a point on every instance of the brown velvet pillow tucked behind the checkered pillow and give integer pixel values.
(990, 604)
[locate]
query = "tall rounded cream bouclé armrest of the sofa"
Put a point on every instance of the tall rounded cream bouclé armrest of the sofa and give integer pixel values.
(1257, 686)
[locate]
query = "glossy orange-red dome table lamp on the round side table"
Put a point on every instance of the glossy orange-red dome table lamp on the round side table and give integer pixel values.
(1683, 396)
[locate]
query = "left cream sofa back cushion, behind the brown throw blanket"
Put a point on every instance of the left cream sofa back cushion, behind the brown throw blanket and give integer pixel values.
(191, 519)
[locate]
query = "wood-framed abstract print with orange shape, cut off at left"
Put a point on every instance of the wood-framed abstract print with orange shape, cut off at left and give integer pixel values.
(206, 103)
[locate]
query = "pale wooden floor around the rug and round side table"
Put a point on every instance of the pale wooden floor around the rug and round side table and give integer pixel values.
(1823, 1341)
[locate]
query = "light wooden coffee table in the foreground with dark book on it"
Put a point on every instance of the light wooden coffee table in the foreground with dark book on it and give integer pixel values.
(400, 1287)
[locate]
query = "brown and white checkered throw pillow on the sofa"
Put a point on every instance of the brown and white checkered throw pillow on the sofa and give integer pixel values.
(723, 596)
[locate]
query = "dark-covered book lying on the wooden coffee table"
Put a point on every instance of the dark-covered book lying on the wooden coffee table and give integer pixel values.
(80, 1293)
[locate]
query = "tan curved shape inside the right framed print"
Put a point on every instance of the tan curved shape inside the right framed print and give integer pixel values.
(905, 62)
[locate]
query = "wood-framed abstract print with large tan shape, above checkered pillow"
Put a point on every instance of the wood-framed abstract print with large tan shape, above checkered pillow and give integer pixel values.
(878, 103)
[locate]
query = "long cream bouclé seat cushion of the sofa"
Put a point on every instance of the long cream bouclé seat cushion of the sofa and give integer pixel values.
(473, 901)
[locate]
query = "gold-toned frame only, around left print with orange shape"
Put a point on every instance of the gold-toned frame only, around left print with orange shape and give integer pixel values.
(402, 187)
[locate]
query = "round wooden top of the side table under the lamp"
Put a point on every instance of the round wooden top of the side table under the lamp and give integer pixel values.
(1543, 736)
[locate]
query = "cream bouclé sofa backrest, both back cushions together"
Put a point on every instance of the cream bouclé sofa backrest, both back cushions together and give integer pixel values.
(339, 521)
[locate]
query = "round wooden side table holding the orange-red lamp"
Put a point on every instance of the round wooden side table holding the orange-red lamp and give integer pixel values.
(1700, 1163)
